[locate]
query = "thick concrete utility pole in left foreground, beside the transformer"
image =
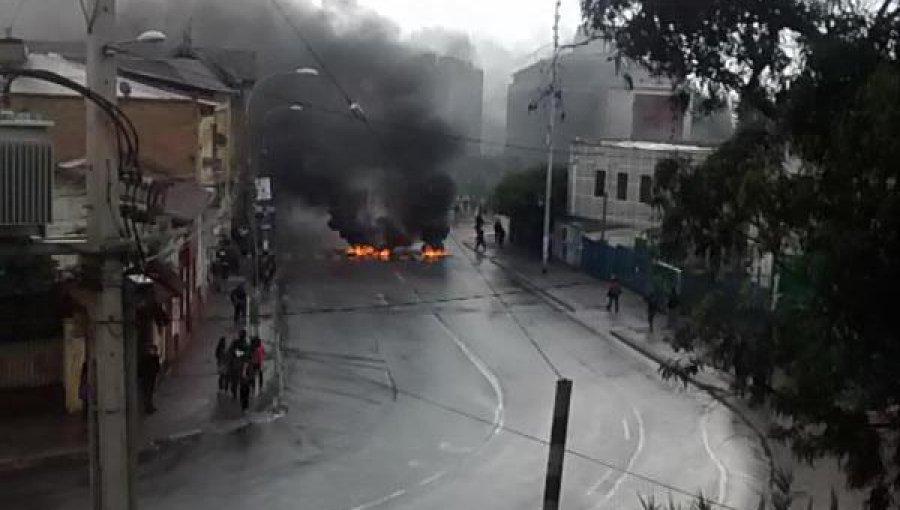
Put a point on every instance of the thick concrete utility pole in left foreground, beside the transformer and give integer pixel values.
(111, 479)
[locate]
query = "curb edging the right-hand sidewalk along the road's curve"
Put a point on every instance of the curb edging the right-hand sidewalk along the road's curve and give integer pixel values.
(714, 392)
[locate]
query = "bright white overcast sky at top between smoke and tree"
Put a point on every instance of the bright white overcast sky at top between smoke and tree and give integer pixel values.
(516, 24)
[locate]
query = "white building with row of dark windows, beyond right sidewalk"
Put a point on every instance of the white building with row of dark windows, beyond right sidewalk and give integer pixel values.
(619, 173)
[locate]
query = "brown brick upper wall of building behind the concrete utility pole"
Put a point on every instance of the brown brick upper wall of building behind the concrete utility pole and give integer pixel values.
(168, 130)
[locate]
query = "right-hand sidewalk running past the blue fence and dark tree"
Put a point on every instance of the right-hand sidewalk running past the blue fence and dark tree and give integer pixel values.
(583, 298)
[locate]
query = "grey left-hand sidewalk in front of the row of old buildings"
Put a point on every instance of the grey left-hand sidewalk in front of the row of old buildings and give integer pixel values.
(187, 400)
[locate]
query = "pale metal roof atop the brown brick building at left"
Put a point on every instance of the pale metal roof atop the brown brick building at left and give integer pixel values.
(76, 72)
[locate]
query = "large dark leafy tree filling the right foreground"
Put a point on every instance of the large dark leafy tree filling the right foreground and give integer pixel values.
(811, 177)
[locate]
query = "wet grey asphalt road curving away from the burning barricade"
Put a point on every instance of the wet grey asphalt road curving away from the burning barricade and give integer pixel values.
(410, 386)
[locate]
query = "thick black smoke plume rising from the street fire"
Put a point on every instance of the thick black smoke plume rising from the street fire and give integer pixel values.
(376, 168)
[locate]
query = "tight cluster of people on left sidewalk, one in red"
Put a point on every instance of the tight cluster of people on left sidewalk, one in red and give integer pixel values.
(240, 366)
